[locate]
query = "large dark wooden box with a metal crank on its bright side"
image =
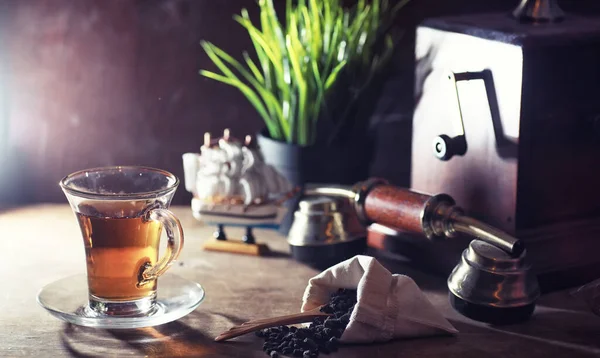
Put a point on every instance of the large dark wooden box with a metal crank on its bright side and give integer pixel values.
(507, 122)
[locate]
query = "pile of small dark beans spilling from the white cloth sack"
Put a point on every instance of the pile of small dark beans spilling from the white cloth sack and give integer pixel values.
(320, 337)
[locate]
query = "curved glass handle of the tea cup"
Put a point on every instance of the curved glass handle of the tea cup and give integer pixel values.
(174, 232)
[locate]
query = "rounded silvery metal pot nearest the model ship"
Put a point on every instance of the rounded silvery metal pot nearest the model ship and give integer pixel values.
(325, 231)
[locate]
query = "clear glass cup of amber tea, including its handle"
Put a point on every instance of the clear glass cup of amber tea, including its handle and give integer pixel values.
(121, 213)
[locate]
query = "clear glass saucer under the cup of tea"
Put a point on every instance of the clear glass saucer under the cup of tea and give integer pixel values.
(67, 299)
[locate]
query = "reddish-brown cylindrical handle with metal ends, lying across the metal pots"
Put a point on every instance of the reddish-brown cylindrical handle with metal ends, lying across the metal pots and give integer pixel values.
(405, 210)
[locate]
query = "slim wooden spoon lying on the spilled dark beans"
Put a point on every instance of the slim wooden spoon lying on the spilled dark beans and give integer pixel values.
(255, 325)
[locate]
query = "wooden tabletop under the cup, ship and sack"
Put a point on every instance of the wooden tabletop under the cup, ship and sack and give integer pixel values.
(40, 244)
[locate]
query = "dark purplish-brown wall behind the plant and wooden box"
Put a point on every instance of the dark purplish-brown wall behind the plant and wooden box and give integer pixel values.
(87, 83)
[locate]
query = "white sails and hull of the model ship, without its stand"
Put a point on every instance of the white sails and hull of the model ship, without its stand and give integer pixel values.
(231, 183)
